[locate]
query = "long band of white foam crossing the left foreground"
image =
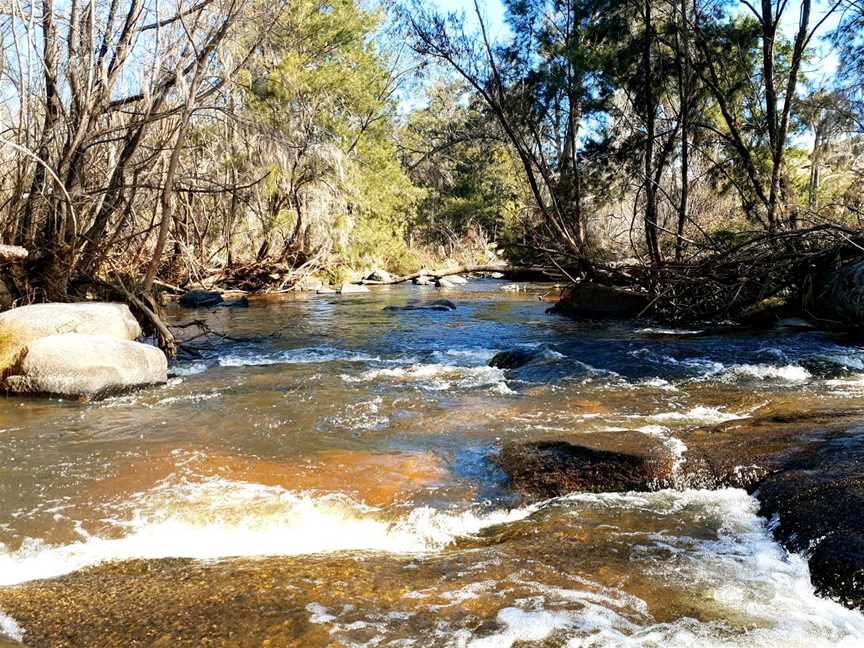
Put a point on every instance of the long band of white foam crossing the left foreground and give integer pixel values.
(219, 519)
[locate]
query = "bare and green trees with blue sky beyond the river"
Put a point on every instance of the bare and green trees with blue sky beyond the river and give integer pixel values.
(148, 143)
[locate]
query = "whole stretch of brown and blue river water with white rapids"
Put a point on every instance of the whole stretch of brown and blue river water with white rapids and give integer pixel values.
(328, 471)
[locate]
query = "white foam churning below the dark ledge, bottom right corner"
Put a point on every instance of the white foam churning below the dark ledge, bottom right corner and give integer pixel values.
(740, 570)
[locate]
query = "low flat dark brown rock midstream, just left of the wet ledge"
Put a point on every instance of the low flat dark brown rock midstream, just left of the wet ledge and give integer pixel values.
(553, 468)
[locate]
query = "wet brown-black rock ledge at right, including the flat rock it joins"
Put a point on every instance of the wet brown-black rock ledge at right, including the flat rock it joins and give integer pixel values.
(806, 471)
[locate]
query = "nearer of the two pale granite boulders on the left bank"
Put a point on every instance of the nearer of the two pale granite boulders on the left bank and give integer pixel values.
(90, 366)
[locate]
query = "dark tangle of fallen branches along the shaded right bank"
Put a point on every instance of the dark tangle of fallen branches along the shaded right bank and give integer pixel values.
(816, 272)
